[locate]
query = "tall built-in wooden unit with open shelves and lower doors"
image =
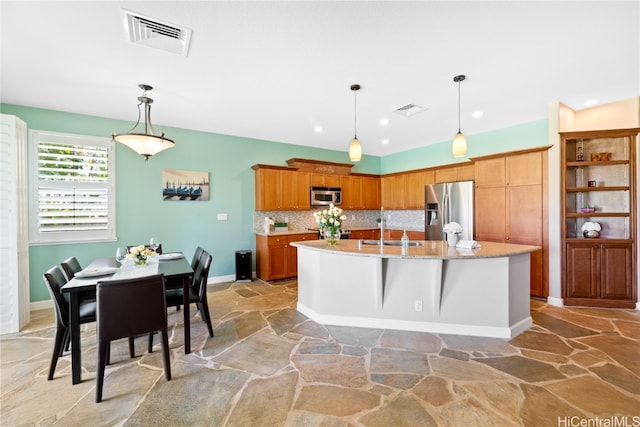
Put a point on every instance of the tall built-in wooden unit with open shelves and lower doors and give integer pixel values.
(598, 189)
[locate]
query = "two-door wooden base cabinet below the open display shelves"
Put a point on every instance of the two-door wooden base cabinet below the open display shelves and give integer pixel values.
(599, 274)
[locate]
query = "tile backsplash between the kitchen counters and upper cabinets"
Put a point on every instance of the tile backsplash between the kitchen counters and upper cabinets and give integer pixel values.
(302, 220)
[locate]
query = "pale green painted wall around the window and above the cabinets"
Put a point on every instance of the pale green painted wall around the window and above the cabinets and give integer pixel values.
(182, 226)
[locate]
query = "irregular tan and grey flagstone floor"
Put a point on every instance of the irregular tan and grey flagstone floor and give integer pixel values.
(268, 365)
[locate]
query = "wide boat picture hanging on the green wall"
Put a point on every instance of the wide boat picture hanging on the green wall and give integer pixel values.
(185, 185)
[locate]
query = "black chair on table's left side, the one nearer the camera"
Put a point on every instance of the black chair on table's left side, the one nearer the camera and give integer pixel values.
(54, 279)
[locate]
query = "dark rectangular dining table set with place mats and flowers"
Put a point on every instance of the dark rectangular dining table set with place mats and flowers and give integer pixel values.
(174, 267)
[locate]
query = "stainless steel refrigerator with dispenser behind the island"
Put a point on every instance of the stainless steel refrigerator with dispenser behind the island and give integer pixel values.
(449, 202)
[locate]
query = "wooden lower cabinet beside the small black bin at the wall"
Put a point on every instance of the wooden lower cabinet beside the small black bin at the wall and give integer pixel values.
(276, 258)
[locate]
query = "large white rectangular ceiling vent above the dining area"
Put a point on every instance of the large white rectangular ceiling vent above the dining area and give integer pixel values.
(151, 32)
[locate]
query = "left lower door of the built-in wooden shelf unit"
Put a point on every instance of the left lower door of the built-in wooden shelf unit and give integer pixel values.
(583, 270)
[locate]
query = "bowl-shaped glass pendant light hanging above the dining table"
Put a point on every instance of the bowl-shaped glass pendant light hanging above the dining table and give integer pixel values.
(146, 144)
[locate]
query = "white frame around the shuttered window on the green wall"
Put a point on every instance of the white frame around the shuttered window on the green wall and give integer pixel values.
(36, 237)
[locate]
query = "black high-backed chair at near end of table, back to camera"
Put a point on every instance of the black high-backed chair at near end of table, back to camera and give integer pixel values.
(126, 308)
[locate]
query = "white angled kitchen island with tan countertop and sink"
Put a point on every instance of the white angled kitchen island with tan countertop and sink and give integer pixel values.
(428, 287)
